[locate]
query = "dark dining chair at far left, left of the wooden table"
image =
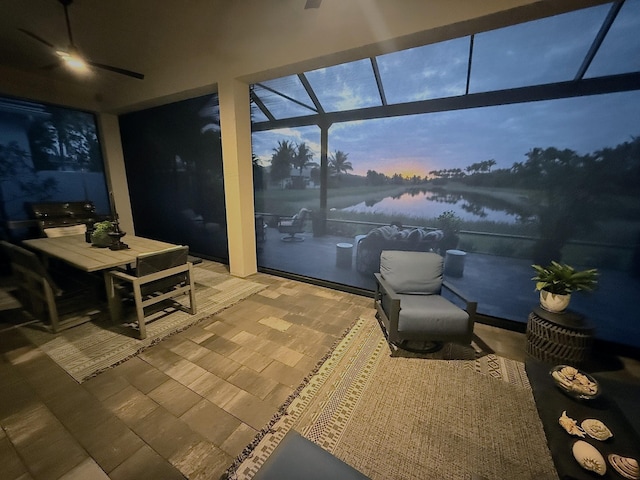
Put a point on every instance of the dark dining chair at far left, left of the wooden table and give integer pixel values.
(64, 301)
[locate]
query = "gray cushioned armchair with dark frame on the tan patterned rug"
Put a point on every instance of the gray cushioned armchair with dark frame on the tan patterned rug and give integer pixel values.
(410, 307)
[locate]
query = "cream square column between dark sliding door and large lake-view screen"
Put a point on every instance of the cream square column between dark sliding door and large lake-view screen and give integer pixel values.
(235, 124)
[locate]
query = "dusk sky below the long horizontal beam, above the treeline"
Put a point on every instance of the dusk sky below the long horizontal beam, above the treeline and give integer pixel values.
(420, 143)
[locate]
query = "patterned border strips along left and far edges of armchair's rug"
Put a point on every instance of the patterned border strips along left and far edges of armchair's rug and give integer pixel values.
(320, 373)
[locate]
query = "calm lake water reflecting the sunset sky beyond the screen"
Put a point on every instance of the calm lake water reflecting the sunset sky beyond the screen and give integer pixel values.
(420, 203)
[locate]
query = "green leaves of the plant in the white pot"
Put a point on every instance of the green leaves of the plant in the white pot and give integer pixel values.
(563, 279)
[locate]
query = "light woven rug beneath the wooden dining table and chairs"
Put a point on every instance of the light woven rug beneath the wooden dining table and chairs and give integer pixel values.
(90, 348)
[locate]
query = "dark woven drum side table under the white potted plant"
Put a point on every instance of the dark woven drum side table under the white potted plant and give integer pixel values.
(559, 338)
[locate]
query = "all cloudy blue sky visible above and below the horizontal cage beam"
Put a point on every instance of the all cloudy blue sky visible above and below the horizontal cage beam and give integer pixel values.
(548, 50)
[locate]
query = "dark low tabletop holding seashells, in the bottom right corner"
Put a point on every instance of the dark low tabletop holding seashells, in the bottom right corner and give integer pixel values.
(551, 402)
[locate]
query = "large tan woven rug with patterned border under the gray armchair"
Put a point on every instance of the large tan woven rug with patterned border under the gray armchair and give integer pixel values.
(456, 413)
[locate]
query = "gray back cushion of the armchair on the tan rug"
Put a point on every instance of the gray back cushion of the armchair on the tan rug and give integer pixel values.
(412, 272)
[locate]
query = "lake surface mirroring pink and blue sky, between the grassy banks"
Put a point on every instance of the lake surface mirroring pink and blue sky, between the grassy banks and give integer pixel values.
(429, 204)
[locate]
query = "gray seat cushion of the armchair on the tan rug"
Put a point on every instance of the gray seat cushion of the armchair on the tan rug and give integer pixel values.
(433, 314)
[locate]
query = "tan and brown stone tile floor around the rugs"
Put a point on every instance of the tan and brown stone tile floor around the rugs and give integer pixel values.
(186, 407)
